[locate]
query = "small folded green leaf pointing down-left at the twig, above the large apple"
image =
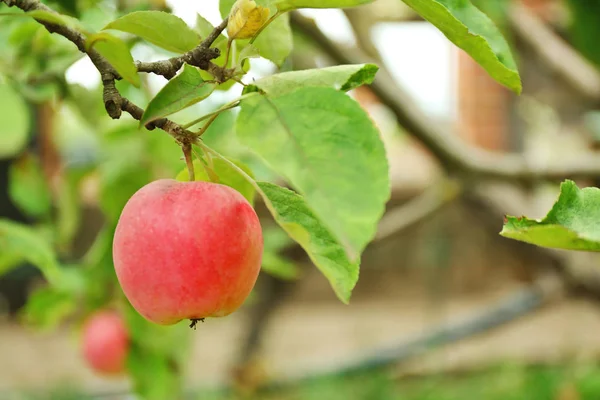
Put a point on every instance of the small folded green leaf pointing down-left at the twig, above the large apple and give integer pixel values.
(185, 90)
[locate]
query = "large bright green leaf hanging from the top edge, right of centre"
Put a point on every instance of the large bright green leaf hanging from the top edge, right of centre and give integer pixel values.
(474, 32)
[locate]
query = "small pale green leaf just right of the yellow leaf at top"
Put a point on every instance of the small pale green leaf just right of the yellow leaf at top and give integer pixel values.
(275, 42)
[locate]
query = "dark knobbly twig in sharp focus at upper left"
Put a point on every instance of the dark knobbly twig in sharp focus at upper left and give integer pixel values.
(114, 103)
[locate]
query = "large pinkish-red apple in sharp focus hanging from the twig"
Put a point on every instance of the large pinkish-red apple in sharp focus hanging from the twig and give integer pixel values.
(187, 250)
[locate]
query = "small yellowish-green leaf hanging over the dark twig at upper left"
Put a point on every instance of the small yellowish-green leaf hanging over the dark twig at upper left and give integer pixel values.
(116, 53)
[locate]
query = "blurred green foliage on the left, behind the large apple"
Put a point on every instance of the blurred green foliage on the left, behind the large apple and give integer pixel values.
(102, 163)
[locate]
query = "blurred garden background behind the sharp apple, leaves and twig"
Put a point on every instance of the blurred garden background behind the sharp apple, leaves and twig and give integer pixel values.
(445, 308)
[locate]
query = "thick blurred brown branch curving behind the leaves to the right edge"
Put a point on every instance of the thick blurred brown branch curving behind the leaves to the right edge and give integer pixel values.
(457, 156)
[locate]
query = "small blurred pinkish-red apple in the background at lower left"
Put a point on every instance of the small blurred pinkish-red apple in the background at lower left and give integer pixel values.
(105, 342)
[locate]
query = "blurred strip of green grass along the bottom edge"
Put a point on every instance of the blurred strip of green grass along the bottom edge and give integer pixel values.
(509, 382)
